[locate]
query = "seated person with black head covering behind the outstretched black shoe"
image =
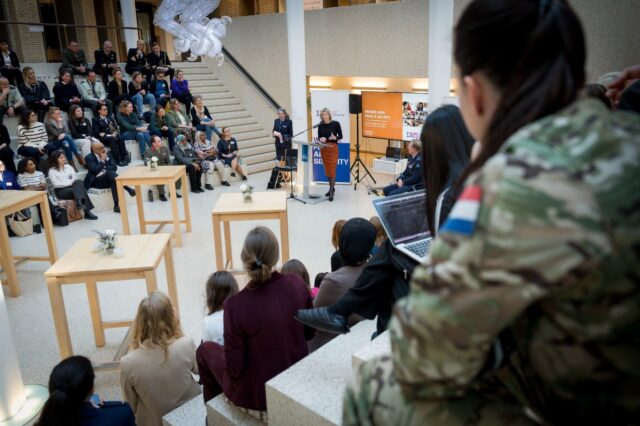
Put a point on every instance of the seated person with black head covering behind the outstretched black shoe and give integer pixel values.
(357, 238)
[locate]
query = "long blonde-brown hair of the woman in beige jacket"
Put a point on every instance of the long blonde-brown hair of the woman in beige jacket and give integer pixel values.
(156, 323)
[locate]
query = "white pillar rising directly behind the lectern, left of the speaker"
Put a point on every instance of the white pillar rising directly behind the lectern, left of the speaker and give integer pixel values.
(297, 76)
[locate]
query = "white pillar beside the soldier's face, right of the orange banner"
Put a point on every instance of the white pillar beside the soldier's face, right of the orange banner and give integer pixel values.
(440, 42)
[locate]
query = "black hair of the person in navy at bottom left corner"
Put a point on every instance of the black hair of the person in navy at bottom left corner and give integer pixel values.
(70, 384)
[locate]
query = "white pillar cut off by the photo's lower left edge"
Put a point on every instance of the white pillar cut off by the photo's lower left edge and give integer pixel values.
(12, 391)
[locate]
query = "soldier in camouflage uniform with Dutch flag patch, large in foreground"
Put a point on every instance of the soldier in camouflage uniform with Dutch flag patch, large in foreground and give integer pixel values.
(525, 311)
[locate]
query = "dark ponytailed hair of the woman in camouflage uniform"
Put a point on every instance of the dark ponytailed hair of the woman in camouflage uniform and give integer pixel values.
(533, 51)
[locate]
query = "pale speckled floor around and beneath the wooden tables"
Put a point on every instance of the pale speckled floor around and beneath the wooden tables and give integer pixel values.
(30, 314)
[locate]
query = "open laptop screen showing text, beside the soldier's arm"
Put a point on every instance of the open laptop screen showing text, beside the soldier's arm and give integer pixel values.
(404, 216)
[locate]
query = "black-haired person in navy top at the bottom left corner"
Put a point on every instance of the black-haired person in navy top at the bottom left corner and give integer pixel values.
(72, 400)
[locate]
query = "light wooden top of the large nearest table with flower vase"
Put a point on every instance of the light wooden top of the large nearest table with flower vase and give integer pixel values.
(141, 253)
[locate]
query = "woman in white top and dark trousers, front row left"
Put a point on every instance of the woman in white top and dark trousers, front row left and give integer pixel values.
(66, 184)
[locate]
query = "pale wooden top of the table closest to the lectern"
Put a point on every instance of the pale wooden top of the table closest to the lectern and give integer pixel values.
(263, 202)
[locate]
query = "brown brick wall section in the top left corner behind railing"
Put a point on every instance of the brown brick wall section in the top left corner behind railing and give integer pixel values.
(28, 45)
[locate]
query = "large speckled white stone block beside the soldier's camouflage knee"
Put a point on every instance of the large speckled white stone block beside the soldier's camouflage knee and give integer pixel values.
(310, 392)
